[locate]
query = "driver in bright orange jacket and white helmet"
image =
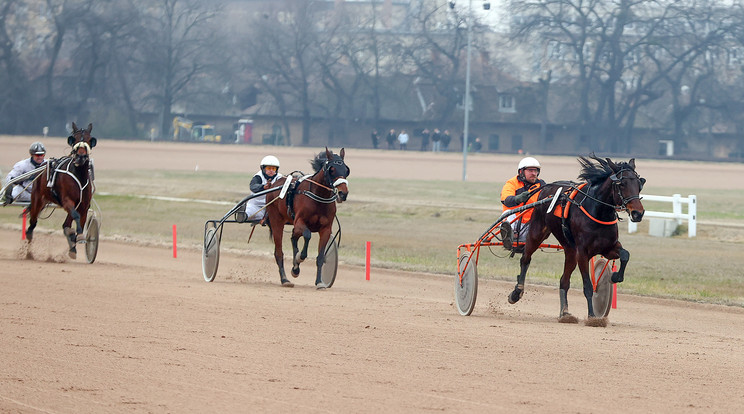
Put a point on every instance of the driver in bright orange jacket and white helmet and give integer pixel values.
(516, 193)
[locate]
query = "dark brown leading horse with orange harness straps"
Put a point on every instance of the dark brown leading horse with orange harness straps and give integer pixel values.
(586, 225)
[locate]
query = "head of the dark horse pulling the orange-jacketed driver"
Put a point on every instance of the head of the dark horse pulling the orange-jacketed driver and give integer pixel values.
(627, 186)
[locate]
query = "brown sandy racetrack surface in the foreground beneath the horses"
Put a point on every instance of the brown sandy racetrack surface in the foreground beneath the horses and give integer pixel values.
(139, 331)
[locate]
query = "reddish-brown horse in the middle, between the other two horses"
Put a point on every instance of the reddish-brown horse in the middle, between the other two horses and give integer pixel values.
(313, 208)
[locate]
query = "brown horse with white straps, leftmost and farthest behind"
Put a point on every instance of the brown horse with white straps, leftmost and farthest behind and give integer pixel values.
(67, 182)
